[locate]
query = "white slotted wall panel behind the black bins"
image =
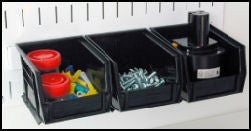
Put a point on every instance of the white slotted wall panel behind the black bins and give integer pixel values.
(233, 18)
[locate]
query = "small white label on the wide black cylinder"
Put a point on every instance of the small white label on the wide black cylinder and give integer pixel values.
(208, 73)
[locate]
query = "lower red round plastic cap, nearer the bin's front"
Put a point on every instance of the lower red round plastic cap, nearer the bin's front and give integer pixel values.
(55, 84)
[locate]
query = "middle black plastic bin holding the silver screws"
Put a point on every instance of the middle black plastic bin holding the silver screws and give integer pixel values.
(137, 48)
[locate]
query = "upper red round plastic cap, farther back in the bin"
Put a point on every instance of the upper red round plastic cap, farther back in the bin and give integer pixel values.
(45, 59)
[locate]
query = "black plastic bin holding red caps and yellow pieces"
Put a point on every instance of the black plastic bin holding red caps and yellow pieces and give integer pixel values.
(79, 53)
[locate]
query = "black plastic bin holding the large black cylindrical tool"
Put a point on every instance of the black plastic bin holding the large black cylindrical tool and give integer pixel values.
(233, 66)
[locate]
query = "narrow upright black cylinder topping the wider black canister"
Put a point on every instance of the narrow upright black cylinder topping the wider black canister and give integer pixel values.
(200, 26)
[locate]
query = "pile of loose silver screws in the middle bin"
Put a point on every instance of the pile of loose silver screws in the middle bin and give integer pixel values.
(138, 78)
